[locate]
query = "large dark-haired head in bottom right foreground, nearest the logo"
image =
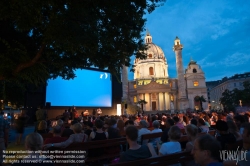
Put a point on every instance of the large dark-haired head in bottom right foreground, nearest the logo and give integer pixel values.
(206, 150)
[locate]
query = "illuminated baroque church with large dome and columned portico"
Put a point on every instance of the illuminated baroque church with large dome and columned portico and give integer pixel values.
(153, 84)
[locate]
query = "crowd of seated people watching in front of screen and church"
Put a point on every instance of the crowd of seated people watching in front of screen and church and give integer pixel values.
(229, 129)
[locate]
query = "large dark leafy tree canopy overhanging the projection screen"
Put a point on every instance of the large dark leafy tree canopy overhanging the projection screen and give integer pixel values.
(46, 39)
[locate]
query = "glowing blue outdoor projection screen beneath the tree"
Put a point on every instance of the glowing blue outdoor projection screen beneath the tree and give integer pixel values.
(90, 88)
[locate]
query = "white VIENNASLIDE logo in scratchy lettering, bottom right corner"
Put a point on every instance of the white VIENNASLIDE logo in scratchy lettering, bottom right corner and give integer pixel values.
(236, 155)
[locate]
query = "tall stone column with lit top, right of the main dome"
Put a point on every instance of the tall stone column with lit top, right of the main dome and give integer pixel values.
(182, 96)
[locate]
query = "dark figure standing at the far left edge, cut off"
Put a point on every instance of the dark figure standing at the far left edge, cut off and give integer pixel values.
(4, 134)
